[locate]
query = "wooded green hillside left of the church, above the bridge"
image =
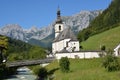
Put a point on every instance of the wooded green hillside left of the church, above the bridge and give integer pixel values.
(18, 50)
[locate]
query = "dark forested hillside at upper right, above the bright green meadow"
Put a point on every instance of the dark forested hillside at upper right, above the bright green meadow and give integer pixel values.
(108, 19)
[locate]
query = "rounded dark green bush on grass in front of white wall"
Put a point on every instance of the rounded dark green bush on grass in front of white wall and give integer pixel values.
(64, 64)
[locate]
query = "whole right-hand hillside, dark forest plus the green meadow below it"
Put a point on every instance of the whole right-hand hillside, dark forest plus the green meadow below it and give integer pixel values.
(104, 30)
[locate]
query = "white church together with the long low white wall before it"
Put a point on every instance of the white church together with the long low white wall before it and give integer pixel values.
(66, 44)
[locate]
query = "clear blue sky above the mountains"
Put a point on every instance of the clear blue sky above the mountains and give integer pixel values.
(41, 13)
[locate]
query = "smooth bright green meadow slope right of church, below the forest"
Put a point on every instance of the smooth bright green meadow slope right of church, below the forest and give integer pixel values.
(110, 39)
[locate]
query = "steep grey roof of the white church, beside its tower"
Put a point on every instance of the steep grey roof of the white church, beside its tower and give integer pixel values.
(66, 34)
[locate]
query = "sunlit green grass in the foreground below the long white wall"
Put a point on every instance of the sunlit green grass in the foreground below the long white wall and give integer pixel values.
(85, 69)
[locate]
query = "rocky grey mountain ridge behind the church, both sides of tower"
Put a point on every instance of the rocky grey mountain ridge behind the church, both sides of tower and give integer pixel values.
(77, 22)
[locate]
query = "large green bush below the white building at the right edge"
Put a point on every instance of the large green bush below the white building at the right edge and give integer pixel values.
(111, 62)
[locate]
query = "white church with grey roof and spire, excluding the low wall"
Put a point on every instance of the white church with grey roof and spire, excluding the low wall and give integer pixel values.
(65, 41)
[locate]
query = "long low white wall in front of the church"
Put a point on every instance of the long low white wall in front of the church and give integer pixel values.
(80, 55)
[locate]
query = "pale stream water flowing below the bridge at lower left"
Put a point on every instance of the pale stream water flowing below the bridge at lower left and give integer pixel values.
(23, 74)
